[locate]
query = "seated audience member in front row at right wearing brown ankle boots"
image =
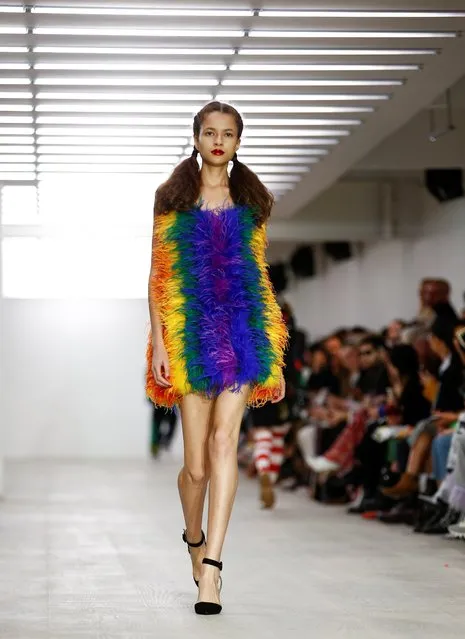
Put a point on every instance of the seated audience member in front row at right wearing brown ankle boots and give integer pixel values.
(448, 403)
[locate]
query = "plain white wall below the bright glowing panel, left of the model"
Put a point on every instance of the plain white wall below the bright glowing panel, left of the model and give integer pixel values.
(73, 378)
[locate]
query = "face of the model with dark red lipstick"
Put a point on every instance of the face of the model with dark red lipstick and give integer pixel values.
(218, 140)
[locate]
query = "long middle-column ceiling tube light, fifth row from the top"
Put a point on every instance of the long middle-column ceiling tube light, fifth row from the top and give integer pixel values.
(106, 81)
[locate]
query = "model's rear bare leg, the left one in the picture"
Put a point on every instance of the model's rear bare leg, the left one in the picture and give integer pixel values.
(194, 475)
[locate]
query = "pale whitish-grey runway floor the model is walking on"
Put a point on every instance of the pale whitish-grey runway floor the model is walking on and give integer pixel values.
(94, 550)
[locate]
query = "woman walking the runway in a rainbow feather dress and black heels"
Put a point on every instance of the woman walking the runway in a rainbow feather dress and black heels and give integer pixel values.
(218, 338)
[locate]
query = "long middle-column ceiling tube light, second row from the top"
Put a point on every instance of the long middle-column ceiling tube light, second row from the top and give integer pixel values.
(145, 33)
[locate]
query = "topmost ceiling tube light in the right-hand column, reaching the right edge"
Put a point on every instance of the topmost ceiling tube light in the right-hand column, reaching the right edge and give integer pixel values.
(311, 13)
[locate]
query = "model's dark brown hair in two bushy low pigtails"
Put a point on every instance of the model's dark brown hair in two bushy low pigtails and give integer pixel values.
(182, 189)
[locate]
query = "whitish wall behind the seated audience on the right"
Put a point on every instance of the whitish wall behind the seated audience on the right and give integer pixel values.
(382, 282)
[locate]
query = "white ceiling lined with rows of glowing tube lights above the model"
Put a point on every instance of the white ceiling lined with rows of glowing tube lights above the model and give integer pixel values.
(112, 86)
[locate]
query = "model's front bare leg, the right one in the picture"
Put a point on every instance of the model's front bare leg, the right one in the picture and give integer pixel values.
(226, 421)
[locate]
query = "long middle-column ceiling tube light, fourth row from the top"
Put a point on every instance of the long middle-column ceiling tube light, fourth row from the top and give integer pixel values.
(105, 66)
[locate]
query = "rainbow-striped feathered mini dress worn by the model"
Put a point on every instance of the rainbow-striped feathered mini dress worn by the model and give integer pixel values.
(221, 323)
